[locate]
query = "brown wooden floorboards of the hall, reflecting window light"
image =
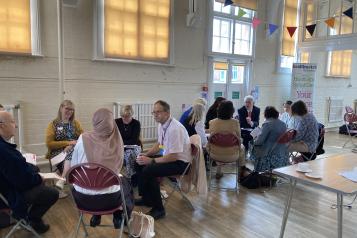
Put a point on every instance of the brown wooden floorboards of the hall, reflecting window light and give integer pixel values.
(251, 213)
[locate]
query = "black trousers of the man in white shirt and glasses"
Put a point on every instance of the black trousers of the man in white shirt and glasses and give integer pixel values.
(149, 186)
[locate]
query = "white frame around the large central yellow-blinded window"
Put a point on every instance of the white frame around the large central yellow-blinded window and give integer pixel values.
(98, 38)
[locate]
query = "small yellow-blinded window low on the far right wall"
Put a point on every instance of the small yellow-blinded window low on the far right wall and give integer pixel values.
(339, 63)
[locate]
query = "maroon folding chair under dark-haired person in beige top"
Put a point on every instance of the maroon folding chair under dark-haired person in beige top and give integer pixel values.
(220, 141)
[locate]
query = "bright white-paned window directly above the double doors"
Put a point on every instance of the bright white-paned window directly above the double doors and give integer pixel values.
(230, 34)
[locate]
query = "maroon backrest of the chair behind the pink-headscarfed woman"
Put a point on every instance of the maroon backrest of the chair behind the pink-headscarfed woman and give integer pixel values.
(92, 176)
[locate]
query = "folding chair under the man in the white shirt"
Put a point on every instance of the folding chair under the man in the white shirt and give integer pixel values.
(176, 180)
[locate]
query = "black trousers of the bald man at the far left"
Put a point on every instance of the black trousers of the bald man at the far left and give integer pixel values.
(40, 198)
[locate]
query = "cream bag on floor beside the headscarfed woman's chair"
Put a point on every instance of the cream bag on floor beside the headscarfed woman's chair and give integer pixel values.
(141, 225)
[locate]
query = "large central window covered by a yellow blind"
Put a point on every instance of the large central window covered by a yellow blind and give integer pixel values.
(135, 30)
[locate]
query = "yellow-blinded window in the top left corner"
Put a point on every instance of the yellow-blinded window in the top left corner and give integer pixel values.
(18, 28)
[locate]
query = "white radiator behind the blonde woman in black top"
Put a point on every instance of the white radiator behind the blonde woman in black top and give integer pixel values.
(142, 113)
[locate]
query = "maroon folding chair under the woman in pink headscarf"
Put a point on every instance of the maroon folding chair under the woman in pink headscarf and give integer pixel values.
(96, 177)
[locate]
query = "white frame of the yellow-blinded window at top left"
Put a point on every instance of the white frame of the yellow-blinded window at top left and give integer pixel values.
(36, 49)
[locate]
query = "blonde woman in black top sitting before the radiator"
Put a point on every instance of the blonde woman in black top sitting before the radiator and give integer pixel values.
(129, 129)
